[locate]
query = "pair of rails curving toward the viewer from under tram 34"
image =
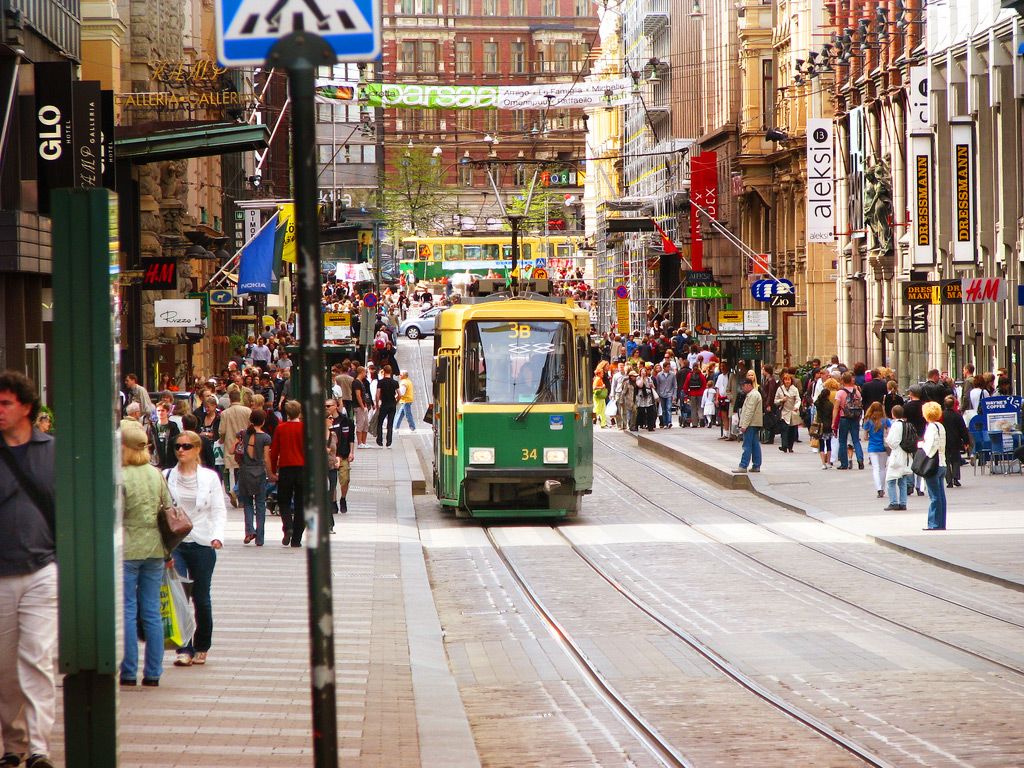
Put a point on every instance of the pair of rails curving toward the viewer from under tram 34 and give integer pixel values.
(658, 745)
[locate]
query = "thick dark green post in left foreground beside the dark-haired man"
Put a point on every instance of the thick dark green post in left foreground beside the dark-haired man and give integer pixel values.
(89, 471)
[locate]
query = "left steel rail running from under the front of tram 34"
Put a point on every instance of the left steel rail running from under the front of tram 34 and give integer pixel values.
(657, 745)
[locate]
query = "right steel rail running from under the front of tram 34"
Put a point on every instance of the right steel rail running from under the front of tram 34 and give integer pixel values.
(724, 666)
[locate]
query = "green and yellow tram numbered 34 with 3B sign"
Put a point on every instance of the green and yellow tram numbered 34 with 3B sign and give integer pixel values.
(513, 408)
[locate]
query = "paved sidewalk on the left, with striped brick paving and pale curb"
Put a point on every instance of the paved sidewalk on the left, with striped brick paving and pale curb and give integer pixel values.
(250, 705)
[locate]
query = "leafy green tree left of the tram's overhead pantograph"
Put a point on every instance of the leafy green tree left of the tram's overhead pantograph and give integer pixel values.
(416, 201)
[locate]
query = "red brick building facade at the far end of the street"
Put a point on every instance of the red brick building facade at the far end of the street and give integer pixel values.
(489, 42)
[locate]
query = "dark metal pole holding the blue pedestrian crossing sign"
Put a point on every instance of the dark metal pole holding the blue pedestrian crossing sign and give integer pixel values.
(301, 54)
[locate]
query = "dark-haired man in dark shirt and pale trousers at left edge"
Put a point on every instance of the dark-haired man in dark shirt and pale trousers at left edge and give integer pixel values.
(28, 577)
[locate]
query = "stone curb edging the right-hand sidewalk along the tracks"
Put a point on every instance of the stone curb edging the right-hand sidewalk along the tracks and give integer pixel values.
(762, 489)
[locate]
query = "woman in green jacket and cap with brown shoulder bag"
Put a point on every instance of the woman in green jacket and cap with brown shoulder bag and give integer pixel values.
(145, 491)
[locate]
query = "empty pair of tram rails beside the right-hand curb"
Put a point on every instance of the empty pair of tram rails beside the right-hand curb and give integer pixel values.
(803, 582)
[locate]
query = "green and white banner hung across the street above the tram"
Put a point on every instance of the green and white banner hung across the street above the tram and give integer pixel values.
(560, 96)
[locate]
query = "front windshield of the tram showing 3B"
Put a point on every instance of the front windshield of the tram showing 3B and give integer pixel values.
(519, 362)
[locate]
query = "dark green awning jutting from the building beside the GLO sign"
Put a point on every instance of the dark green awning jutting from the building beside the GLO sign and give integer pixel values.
(197, 142)
